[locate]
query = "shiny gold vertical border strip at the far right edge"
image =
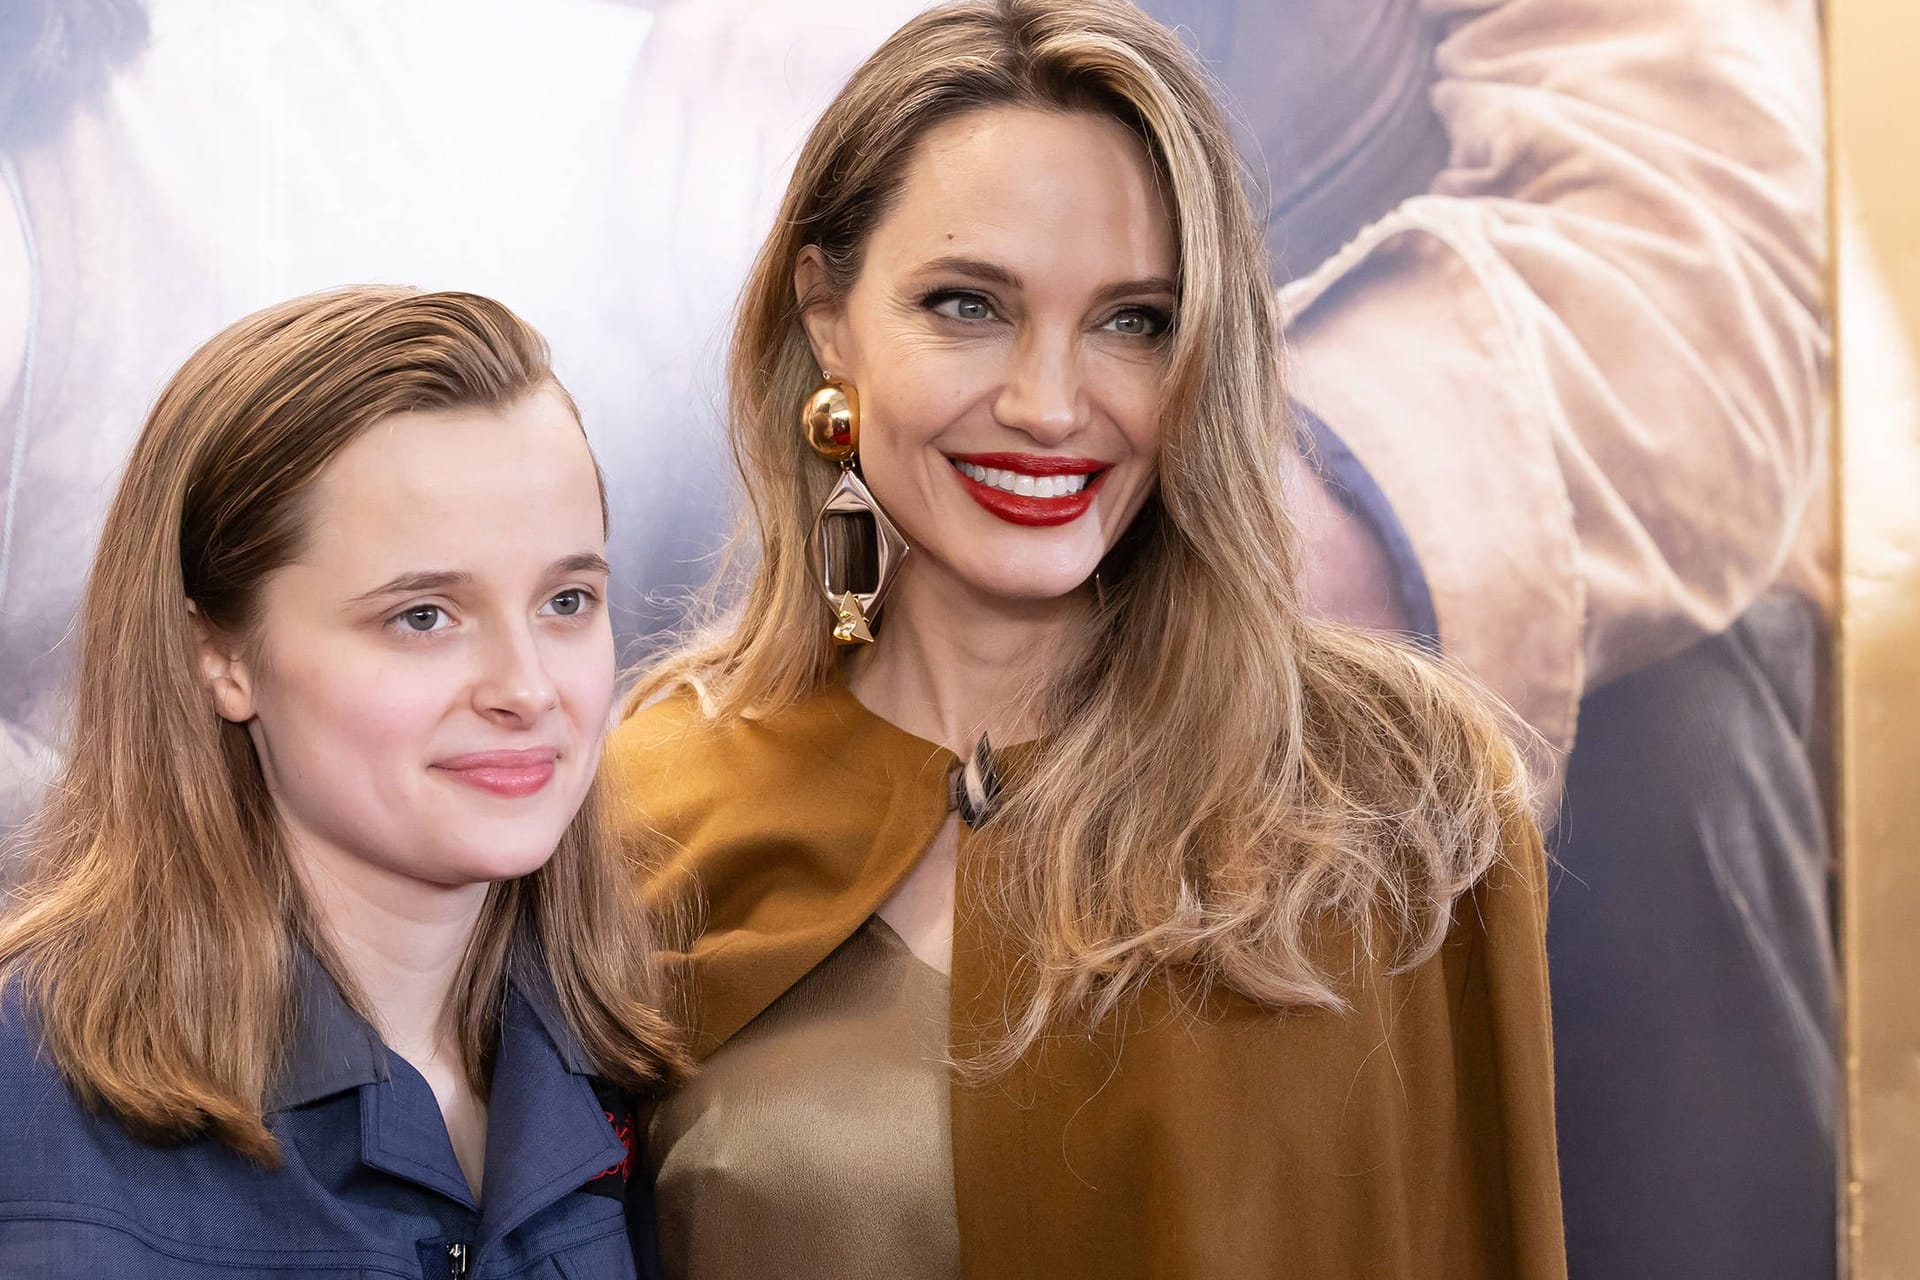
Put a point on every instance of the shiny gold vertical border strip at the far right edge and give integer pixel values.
(1873, 51)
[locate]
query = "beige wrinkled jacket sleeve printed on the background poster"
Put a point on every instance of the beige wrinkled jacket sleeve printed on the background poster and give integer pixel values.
(1589, 367)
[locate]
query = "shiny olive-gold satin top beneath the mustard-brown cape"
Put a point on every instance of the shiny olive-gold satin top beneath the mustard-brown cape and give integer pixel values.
(813, 1145)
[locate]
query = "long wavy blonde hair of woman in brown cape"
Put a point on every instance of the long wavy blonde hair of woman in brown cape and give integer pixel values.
(1226, 778)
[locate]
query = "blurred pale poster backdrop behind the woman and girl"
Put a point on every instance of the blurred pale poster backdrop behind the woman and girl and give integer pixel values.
(1556, 285)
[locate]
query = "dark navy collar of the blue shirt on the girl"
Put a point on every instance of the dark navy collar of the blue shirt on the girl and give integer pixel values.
(333, 1049)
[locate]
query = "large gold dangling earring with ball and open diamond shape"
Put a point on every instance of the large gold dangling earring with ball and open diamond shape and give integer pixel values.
(857, 548)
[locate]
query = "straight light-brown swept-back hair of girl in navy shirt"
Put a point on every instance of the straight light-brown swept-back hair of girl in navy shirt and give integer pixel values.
(156, 926)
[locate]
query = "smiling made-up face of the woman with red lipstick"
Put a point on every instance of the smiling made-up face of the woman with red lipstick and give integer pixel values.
(1009, 337)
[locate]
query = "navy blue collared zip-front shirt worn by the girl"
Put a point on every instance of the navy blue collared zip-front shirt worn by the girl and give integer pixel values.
(368, 1185)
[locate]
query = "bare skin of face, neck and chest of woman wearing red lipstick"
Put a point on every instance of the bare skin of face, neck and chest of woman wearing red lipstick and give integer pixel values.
(1051, 352)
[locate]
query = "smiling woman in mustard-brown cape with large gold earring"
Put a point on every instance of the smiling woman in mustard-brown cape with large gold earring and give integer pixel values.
(1092, 911)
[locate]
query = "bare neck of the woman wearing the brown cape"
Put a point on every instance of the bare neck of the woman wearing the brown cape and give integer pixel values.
(953, 663)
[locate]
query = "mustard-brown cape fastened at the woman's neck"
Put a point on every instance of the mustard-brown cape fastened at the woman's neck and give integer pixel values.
(1408, 1137)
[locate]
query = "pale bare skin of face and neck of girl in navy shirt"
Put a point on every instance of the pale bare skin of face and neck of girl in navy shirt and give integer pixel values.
(360, 696)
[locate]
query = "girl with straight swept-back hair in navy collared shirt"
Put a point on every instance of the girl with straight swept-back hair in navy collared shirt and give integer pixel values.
(324, 964)
